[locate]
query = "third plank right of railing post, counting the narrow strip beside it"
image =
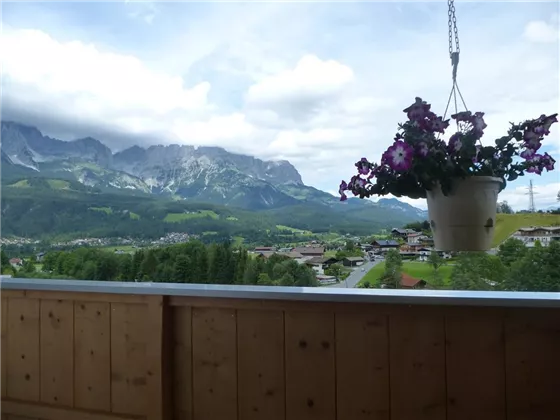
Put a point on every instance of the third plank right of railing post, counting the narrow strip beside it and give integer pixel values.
(260, 344)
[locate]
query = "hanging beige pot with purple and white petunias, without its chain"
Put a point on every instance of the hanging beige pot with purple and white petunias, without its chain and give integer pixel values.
(460, 178)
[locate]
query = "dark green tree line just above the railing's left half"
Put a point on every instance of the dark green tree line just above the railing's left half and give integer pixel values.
(192, 262)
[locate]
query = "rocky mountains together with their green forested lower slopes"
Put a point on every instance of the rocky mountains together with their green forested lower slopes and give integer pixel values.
(63, 190)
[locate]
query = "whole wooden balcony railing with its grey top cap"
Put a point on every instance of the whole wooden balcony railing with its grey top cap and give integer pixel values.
(77, 350)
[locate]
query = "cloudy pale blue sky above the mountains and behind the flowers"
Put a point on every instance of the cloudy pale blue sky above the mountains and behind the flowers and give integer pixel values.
(321, 84)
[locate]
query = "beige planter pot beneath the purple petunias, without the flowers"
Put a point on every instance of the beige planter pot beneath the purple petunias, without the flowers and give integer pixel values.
(464, 220)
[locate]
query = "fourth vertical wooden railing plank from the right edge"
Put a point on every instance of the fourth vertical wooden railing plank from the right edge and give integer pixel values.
(362, 366)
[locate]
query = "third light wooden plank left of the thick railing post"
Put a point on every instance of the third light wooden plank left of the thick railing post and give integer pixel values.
(57, 352)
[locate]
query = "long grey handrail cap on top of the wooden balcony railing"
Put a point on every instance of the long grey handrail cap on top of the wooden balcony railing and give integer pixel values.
(311, 294)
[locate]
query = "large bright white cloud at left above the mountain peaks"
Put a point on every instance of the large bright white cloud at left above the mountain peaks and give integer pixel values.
(79, 80)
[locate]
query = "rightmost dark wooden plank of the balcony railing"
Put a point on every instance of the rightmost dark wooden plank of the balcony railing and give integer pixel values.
(532, 364)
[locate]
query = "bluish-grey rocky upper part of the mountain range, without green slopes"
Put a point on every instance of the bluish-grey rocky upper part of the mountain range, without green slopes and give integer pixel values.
(181, 172)
